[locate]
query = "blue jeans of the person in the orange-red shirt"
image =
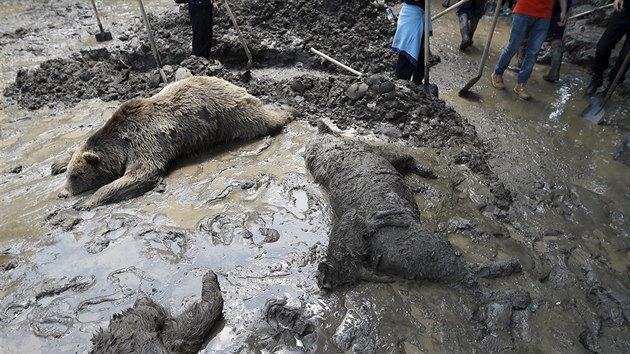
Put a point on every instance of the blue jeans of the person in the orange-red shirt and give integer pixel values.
(534, 29)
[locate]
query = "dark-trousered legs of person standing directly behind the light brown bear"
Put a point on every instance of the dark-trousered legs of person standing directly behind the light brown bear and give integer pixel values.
(200, 18)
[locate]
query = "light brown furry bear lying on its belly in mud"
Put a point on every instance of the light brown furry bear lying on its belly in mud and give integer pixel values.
(128, 155)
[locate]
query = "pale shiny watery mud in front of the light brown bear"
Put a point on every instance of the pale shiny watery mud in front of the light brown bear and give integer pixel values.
(248, 211)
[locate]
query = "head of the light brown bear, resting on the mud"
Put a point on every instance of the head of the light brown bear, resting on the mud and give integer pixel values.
(88, 170)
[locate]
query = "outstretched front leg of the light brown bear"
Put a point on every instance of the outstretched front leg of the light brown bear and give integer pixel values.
(130, 185)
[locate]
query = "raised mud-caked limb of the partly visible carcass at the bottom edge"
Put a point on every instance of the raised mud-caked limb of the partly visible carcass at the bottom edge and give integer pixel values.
(188, 332)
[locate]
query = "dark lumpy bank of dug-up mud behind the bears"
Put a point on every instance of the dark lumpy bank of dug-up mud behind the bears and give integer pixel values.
(278, 34)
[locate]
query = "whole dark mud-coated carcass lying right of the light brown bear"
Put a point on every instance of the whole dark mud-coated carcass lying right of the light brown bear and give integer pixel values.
(377, 232)
